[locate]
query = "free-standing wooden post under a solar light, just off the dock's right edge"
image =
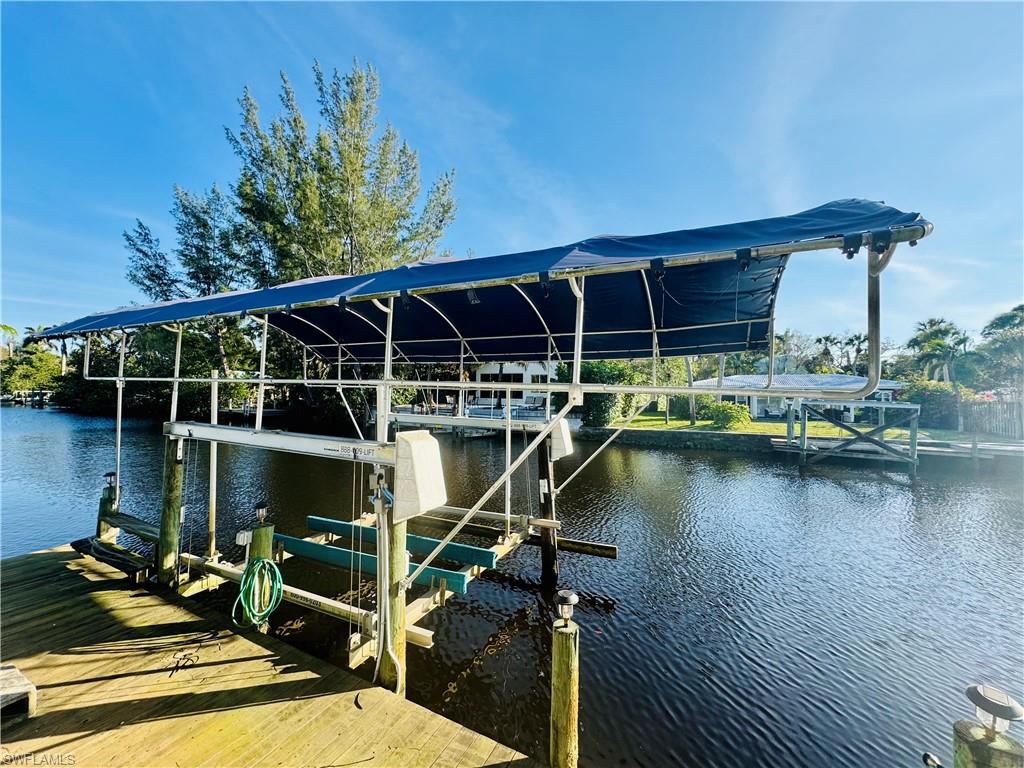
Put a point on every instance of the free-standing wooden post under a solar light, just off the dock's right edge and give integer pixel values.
(565, 743)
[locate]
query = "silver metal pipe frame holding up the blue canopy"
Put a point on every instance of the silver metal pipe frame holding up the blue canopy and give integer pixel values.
(880, 247)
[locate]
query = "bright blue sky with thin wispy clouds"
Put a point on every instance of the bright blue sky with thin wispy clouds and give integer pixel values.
(562, 121)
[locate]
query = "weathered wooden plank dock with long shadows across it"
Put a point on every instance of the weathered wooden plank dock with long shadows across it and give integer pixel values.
(131, 677)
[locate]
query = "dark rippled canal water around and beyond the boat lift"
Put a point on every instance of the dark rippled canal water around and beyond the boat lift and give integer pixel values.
(755, 617)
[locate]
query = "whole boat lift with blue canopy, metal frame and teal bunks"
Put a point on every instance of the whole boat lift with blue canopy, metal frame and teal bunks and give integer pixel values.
(710, 291)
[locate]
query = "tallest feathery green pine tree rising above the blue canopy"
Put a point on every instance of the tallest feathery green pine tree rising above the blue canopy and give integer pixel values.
(342, 200)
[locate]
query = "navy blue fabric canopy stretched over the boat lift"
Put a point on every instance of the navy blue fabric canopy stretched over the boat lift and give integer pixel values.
(689, 292)
